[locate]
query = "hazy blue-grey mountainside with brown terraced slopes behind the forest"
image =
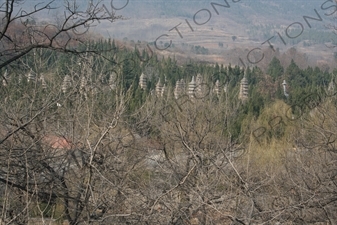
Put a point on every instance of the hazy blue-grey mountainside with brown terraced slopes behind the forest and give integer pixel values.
(220, 26)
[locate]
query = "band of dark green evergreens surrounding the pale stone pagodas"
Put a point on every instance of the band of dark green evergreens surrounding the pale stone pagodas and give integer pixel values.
(126, 65)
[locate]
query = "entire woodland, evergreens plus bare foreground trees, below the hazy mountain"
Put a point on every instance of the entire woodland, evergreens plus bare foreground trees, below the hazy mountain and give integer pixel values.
(82, 143)
